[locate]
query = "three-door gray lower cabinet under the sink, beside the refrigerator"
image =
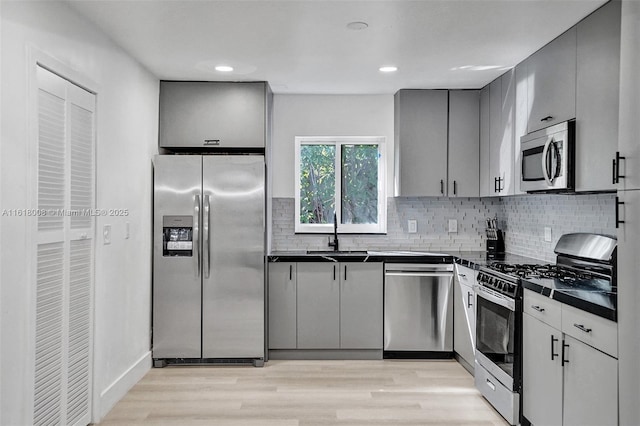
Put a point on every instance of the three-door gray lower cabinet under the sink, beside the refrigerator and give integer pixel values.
(318, 305)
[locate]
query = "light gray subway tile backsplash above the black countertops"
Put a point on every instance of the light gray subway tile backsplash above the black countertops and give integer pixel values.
(522, 219)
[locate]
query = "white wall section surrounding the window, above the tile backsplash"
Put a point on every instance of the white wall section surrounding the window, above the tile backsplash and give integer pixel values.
(326, 115)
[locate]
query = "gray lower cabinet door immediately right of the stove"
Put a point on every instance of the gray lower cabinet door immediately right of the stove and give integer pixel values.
(541, 375)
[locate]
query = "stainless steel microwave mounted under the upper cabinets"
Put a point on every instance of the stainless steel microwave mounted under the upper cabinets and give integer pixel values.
(546, 159)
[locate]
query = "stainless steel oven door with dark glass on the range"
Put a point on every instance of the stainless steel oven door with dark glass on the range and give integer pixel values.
(495, 334)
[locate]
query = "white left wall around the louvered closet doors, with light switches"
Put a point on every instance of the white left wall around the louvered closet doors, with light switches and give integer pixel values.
(127, 105)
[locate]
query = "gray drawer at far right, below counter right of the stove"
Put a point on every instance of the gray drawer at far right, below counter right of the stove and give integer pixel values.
(595, 331)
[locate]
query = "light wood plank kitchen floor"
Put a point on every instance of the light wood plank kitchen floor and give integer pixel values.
(305, 393)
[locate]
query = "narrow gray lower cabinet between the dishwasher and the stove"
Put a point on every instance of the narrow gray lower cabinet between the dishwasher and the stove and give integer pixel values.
(464, 314)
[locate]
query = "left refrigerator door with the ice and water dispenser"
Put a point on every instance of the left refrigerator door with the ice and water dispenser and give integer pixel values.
(176, 272)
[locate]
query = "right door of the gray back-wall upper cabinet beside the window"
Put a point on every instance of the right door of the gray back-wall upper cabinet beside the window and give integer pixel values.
(464, 143)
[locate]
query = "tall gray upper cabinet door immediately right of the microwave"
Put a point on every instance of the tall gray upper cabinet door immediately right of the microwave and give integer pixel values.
(597, 99)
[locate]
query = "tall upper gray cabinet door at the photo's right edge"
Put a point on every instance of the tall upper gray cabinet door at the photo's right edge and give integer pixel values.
(629, 143)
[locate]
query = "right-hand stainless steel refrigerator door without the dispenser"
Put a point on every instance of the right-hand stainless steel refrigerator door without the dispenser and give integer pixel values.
(233, 284)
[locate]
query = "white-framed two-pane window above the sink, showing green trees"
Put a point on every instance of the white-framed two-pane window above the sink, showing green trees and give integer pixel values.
(344, 176)
